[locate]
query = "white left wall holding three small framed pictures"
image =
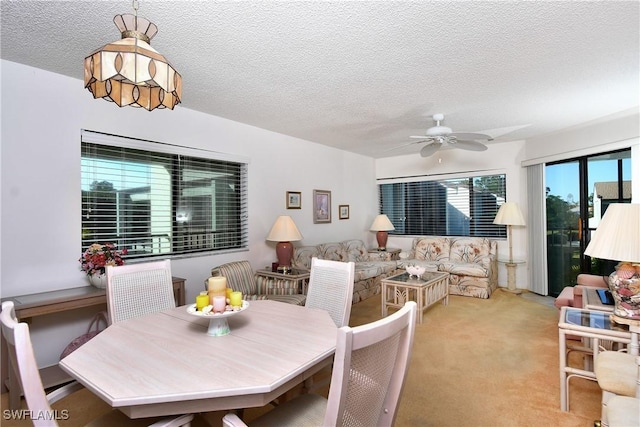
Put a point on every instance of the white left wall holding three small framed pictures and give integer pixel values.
(42, 115)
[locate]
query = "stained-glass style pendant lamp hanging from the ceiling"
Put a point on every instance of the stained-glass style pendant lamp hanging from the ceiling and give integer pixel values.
(129, 71)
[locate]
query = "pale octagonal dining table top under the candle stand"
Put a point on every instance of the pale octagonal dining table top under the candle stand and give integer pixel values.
(165, 363)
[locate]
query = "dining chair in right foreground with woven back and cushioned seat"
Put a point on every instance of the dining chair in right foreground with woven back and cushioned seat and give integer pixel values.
(370, 367)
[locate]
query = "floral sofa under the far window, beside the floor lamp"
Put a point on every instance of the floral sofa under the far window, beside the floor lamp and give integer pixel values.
(470, 261)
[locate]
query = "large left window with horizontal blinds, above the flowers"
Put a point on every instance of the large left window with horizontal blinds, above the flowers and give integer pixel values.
(157, 199)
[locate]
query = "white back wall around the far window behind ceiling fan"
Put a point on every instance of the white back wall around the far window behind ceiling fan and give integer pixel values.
(497, 159)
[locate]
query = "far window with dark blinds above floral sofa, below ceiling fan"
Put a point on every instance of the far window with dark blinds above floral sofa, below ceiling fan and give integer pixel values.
(450, 207)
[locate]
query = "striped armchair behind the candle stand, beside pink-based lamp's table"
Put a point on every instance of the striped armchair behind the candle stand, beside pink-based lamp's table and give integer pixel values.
(241, 277)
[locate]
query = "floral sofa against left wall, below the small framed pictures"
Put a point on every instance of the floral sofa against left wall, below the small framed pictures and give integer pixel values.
(370, 269)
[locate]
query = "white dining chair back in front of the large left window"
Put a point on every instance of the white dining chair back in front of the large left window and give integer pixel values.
(134, 290)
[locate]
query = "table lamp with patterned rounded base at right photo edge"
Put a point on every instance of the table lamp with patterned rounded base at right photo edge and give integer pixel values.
(617, 238)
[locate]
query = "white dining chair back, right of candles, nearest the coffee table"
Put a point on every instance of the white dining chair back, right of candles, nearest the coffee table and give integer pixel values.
(331, 288)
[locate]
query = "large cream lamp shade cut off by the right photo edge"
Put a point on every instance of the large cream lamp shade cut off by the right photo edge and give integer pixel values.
(617, 237)
